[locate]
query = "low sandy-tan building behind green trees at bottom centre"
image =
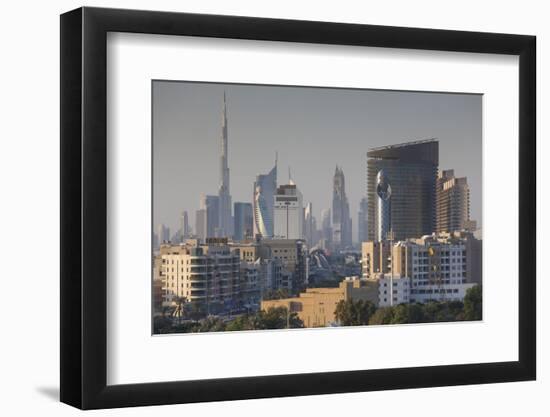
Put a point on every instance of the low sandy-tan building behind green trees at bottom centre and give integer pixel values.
(316, 306)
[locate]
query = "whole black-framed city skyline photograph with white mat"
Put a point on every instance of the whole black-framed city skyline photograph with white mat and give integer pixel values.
(256, 208)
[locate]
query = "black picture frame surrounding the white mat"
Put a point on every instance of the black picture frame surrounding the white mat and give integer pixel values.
(84, 207)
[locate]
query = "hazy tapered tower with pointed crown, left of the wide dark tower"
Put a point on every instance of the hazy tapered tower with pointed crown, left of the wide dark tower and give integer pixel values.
(341, 221)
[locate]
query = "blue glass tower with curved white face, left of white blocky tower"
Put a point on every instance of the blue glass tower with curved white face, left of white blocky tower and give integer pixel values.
(264, 195)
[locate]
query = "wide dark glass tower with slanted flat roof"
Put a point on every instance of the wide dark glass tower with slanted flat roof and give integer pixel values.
(411, 169)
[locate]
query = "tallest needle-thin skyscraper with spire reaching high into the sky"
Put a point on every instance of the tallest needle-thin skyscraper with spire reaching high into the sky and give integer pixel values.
(225, 223)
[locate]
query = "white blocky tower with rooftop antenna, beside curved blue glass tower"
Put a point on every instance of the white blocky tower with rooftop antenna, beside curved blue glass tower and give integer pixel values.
(288, 212)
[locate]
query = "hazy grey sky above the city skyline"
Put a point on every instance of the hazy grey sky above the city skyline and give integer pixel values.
(312, 129)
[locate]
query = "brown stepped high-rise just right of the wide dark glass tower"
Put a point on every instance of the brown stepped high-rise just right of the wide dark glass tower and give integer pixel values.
(452, 202)
